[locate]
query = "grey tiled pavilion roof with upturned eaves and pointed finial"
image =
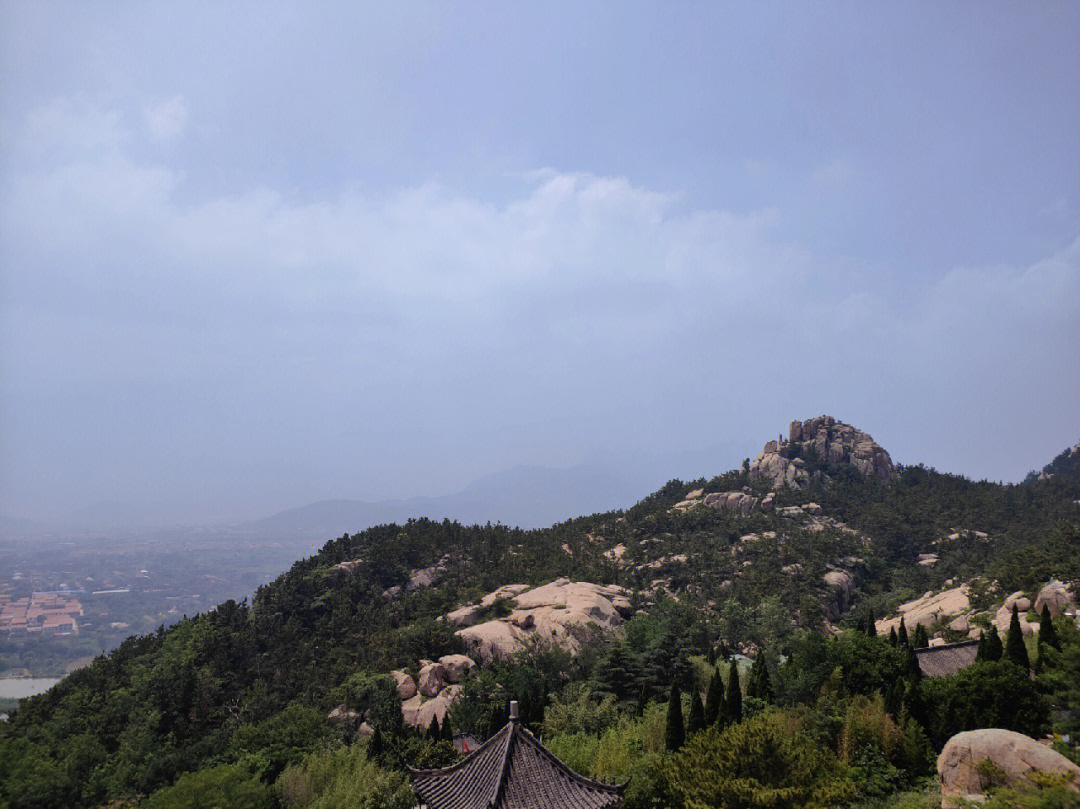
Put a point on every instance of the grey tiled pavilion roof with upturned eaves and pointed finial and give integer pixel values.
(512, 771)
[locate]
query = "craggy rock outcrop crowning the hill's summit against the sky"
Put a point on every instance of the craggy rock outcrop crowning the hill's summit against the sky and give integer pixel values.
(823, 439)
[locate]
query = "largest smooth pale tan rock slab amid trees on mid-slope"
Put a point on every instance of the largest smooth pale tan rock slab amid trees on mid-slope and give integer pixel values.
(557, 613)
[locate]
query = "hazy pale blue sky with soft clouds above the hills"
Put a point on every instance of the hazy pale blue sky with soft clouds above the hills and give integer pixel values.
(260, 254)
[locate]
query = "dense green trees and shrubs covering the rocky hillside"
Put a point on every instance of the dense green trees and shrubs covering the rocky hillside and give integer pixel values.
(233, 704)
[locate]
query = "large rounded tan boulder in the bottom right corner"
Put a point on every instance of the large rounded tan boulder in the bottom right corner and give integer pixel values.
(1014, 754)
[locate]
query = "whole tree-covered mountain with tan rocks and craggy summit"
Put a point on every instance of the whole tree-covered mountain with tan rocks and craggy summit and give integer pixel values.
(818, 535)
